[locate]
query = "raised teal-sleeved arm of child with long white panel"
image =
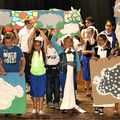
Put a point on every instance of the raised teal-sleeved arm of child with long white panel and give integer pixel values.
(58, 48)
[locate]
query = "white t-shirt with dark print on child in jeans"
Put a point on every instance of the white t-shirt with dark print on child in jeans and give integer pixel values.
(52, 56)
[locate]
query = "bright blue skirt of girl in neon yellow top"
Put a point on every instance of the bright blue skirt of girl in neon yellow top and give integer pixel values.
(37, 85)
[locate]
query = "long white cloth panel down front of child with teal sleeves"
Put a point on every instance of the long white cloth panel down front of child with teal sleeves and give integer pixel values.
(68, 101)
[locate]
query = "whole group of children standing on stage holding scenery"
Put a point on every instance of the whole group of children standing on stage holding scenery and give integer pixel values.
(48, 65)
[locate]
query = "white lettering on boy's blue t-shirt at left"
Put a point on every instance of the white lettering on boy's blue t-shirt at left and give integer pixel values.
(9, 57)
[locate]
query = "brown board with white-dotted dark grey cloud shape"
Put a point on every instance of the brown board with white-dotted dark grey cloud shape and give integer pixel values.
(105, 76)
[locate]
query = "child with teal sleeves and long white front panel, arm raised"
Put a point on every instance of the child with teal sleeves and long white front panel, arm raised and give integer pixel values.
(69, 65)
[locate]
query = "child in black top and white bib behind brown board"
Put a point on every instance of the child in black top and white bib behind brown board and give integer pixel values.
(102, 50)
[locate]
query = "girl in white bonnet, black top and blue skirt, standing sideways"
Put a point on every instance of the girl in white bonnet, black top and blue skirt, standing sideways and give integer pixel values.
(87, 53)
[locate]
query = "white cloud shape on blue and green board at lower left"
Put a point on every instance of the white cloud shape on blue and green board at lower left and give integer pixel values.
(8, 94)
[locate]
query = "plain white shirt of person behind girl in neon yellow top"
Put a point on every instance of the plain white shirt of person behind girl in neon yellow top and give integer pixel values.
(24, 34)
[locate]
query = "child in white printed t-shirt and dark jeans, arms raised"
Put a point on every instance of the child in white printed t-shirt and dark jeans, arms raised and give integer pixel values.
(52, 73)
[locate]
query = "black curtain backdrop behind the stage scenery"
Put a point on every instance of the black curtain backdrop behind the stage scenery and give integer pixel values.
(101, 10)
